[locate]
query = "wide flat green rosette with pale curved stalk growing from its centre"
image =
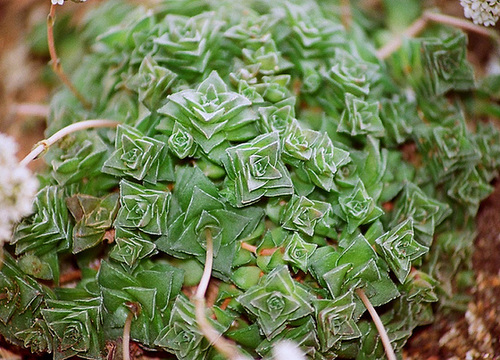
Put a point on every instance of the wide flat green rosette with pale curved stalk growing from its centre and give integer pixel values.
(203, 209)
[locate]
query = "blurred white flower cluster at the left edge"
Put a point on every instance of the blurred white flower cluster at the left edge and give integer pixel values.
(18, 187)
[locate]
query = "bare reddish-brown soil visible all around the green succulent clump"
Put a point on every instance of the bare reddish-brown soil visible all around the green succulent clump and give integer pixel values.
(474, 334)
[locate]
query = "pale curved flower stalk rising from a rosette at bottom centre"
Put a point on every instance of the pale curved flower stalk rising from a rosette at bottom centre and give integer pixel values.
(225, 347)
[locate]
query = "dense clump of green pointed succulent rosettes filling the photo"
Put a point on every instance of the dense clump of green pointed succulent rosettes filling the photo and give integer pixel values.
(269, 129)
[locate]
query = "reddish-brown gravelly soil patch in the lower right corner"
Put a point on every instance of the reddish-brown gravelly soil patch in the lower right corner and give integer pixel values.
(475, 334)
